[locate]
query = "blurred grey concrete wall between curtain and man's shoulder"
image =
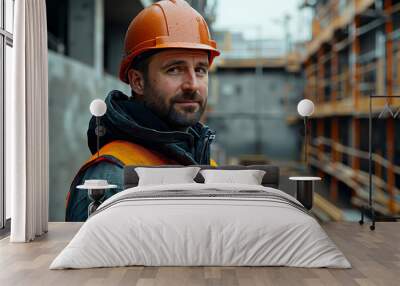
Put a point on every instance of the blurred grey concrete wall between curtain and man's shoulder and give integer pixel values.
(72, 86)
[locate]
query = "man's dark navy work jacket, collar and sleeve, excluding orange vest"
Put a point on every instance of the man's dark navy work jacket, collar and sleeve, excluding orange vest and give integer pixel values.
(129, 120)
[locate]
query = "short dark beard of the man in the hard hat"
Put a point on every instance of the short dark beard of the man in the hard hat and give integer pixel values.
(155, 101)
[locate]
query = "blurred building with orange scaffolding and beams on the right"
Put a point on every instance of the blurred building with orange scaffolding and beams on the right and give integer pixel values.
(355, 53)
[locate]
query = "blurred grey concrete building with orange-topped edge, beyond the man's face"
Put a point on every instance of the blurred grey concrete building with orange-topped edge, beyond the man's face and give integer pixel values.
(253, 86)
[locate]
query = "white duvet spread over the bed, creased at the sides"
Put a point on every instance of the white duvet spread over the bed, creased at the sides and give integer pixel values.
(183, 230)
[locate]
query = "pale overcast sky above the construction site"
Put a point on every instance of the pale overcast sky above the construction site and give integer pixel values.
(247, 15)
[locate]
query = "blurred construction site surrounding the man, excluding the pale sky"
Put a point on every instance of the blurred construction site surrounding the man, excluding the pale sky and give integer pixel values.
(254, 90)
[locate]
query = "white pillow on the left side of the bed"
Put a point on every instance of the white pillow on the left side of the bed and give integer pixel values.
(161, 176)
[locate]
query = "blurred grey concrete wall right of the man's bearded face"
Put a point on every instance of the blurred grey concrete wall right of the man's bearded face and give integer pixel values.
(236, 109)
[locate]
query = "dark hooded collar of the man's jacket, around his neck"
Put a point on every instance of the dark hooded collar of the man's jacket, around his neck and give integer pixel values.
(130, 120)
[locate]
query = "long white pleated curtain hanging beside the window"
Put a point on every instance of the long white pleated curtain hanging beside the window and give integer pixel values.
(27, 147)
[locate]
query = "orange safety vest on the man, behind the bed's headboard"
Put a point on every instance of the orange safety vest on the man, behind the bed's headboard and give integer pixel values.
(124, 153)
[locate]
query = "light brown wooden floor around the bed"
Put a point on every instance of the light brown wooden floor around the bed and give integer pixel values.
(374, 255)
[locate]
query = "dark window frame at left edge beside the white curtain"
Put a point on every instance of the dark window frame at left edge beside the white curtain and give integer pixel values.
(6, 39)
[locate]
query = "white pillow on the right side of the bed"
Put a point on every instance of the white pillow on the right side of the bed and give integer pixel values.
(248, 177)
